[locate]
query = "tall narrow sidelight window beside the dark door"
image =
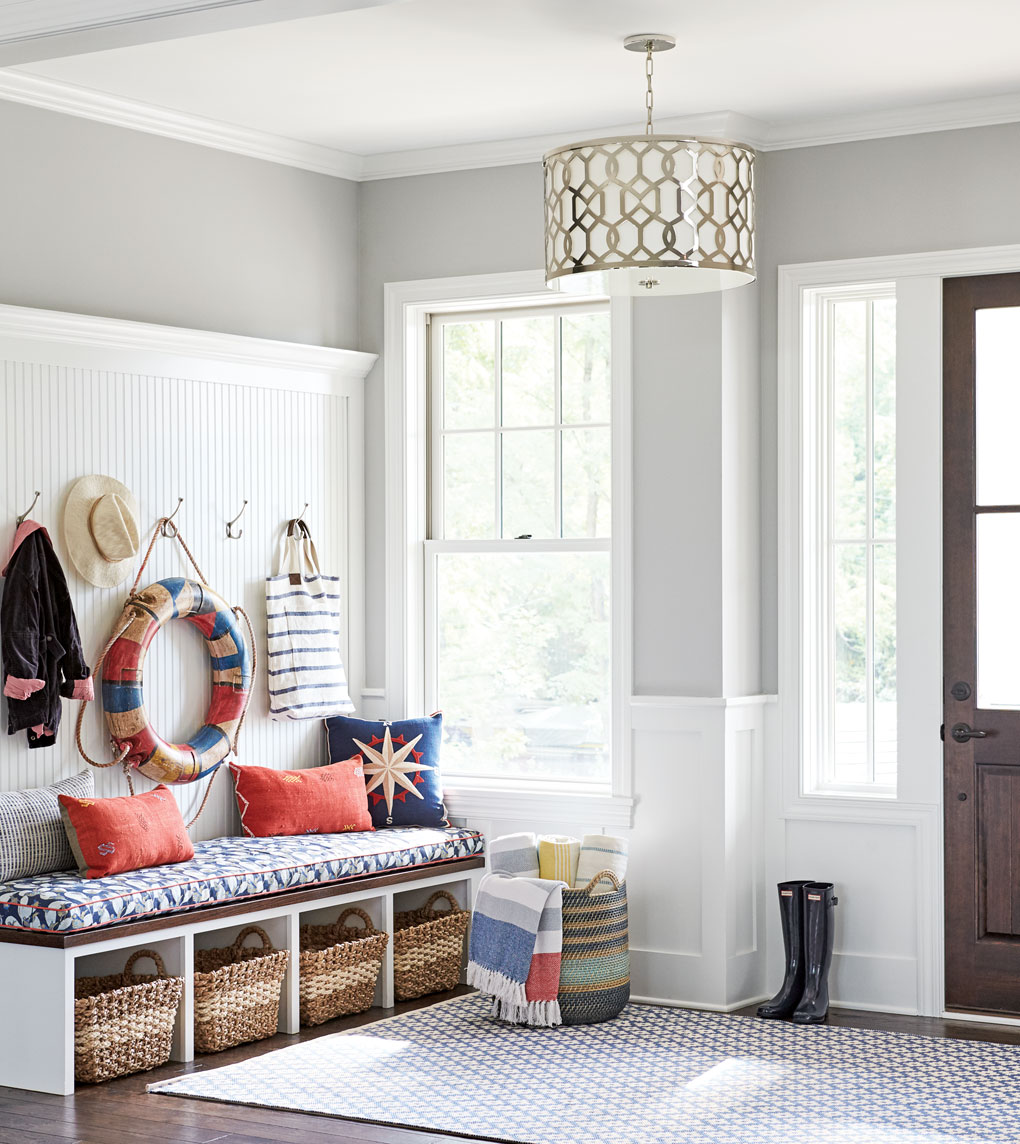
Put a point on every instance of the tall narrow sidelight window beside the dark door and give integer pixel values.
(849, 541)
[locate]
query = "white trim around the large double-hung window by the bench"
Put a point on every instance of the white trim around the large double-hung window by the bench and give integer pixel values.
(407, 307)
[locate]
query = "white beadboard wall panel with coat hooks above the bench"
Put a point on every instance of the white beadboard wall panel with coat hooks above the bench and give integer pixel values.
(212, 419)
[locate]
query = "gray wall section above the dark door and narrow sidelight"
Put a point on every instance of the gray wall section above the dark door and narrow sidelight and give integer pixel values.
(942, 192)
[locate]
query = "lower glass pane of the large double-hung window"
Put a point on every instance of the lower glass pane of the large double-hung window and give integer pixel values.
(524, 664)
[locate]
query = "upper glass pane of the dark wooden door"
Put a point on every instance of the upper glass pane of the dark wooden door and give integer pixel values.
(998, 406)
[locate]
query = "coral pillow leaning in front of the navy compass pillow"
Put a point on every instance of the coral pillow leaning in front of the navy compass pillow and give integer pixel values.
(323, 800)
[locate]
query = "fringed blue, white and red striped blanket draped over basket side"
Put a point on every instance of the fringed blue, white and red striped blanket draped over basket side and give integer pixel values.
(516, 948)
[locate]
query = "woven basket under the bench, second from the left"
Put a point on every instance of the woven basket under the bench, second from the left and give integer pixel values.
(237, 992)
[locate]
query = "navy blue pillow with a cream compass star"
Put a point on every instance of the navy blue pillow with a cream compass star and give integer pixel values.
(402, 767)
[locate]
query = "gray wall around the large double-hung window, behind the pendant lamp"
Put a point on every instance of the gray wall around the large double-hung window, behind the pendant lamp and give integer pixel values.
(686, 609)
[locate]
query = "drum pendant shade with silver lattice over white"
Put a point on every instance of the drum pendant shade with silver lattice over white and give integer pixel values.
(625, 213)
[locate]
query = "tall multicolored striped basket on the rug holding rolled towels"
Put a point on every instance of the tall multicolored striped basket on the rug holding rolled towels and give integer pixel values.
(595, 972)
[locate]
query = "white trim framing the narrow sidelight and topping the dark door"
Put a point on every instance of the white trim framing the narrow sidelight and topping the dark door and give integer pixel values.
(918, 280)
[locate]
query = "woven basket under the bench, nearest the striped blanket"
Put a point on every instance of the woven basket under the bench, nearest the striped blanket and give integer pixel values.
(429, 948)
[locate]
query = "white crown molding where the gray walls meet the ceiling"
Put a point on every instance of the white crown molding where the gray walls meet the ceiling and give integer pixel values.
(69, 99)
